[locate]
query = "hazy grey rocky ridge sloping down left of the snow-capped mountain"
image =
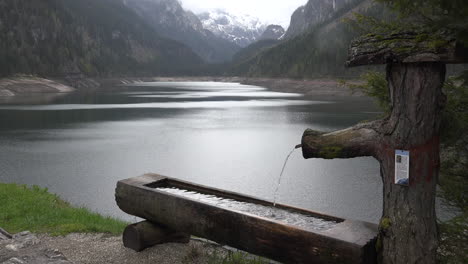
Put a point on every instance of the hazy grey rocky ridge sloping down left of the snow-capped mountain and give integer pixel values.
(170, 20)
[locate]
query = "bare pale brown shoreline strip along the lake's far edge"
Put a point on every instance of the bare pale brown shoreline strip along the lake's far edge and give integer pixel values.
(27, 86)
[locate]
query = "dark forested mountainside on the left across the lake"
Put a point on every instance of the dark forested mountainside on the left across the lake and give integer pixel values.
(93, 37)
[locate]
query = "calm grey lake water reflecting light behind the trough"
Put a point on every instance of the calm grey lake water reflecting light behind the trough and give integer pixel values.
(224, 135)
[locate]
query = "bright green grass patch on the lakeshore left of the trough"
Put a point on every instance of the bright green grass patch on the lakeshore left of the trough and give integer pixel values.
(37, 210)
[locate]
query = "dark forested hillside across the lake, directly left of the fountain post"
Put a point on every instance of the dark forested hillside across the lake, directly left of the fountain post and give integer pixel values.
(321, 51)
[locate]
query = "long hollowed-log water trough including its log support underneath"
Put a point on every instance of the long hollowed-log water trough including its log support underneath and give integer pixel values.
(173, 217)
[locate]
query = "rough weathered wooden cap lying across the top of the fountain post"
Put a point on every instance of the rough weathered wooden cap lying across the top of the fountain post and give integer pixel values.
(407, 47)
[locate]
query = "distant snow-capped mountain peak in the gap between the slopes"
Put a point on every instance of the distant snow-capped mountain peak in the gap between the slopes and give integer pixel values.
(240, 29)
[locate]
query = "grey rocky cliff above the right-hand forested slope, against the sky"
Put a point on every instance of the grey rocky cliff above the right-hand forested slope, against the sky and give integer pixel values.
(314, 13)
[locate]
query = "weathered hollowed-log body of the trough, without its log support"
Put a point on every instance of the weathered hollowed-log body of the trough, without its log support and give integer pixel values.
(348, 242)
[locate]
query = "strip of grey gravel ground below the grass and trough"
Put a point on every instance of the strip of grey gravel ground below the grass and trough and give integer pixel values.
(28, 248)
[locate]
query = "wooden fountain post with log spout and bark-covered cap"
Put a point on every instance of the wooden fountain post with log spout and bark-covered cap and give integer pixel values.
(415, 75)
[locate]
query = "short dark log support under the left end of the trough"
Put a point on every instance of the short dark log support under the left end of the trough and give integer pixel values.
(142, 235)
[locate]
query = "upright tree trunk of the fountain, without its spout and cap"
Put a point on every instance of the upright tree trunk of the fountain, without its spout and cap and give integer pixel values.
(408, 230)
